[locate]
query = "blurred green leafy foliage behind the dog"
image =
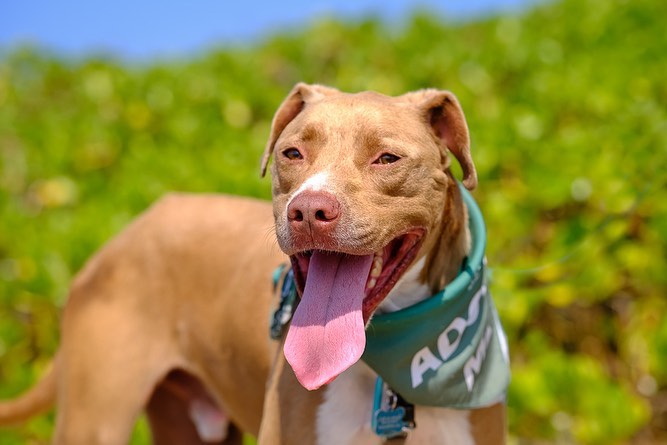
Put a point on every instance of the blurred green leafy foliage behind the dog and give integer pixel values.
(566, 105)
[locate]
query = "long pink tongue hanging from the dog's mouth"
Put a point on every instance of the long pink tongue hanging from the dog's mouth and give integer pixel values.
(327, 333)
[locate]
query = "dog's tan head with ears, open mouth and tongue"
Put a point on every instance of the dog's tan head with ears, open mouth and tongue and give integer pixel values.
(361, 189)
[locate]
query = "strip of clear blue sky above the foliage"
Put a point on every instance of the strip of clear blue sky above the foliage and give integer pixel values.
(148, 29)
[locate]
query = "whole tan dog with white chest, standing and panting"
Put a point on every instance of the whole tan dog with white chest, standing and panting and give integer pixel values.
(172, 315)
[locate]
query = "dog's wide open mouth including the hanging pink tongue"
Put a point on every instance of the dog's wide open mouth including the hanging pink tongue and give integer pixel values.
(339, 293)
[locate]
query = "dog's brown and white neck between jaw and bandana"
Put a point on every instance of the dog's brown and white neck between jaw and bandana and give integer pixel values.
(433, 271)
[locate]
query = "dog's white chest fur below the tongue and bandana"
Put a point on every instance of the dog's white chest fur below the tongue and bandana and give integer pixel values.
(345, 416)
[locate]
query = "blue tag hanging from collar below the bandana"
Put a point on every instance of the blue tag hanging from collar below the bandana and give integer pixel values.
(393, 417)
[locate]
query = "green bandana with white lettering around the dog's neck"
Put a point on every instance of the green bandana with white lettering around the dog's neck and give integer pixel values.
(449, 350)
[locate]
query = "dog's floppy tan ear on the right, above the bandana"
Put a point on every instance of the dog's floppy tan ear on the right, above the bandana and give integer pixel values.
(443, 112)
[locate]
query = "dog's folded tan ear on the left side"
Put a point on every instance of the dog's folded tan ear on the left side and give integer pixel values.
(300, 95)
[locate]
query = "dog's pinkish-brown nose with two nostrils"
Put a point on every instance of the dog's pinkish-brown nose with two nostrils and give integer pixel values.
(313, 211)
